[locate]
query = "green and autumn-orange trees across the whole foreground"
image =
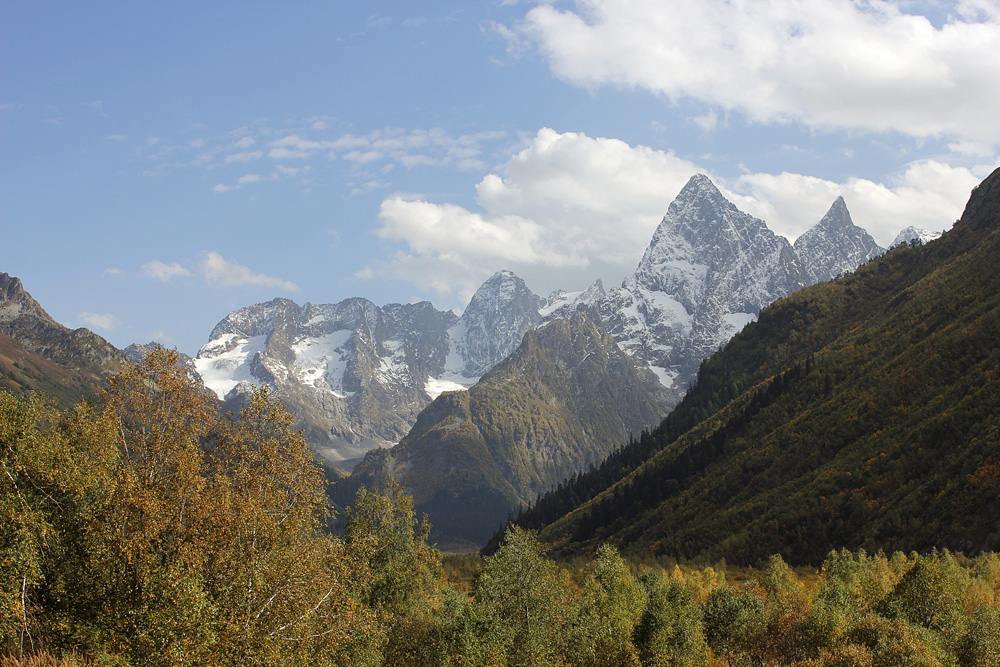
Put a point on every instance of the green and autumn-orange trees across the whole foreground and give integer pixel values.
(144, 528)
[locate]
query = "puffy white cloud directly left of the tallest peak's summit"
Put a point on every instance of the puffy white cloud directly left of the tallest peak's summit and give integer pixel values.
(565, 203)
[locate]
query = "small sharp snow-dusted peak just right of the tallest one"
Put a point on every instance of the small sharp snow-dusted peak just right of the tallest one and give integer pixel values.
(835, 245)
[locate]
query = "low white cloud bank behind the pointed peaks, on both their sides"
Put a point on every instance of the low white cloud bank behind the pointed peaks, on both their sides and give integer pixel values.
(569, 208)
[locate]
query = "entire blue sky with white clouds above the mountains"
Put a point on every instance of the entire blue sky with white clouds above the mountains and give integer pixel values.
(165, 163)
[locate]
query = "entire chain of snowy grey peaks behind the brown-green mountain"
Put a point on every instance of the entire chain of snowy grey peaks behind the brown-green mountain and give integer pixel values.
(357, 375)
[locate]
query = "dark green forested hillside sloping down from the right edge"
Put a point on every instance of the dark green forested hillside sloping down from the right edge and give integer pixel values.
(862, 413)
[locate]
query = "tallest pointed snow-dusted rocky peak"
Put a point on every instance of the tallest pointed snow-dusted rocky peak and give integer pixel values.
(707, 272)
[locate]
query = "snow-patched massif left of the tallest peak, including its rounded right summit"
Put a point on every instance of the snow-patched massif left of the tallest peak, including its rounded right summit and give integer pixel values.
(357, 375)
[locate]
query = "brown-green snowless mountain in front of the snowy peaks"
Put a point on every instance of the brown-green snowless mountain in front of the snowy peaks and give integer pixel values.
(561, 402)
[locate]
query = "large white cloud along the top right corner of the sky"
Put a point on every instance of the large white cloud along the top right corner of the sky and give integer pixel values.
(826, 63)
